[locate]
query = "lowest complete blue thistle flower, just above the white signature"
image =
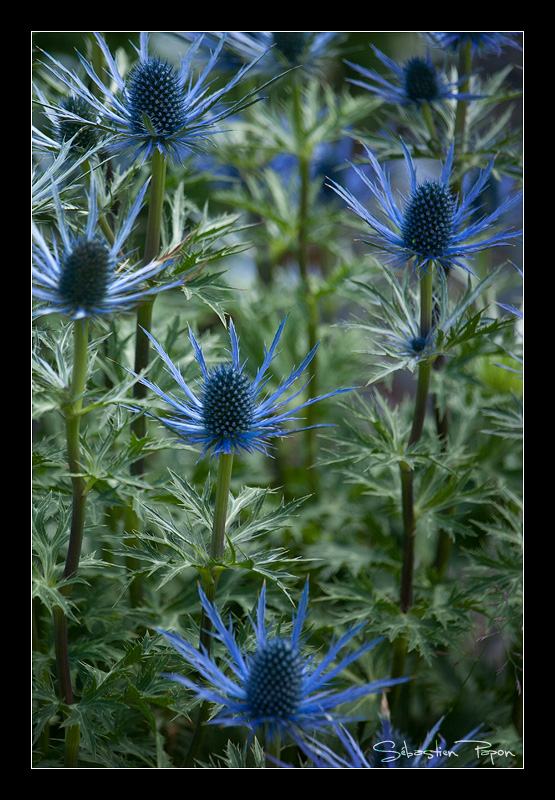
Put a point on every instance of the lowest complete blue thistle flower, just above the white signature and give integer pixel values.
(277, 686)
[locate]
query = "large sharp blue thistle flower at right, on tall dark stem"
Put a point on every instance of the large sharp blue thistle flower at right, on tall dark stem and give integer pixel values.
(430, 225)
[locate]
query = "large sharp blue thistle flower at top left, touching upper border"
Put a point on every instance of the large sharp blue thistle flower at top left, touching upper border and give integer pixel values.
(158, 106)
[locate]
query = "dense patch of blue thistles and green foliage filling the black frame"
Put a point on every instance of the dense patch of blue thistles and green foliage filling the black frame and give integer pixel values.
(277, 400)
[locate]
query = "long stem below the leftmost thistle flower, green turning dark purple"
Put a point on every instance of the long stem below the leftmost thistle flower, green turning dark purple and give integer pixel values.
(73, 419)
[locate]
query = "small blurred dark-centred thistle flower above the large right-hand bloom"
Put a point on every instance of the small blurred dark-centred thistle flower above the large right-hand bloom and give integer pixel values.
(418, 81)
